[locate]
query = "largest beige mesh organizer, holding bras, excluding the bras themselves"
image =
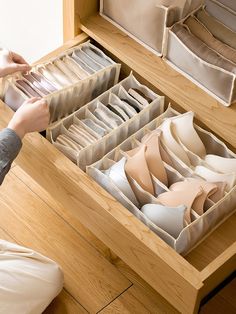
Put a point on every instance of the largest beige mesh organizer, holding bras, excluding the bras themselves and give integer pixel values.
(202, 225)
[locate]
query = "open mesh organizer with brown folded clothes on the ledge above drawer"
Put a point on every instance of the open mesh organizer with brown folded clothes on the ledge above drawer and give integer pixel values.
(213, 78)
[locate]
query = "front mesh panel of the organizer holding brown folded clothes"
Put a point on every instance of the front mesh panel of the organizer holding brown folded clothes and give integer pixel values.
(217, 82)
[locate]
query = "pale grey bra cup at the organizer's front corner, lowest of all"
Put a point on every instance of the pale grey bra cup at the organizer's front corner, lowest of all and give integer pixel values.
(170, 219)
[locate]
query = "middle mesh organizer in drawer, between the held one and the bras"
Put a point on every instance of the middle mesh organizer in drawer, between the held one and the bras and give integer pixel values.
(113, 135)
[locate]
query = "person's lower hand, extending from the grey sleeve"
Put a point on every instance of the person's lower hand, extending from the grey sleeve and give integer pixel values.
(32, 116)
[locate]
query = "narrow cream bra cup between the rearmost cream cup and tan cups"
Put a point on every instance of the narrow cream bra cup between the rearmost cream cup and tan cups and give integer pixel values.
(169, 140)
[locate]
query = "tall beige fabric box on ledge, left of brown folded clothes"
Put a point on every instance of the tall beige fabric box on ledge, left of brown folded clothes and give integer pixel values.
(146, 21)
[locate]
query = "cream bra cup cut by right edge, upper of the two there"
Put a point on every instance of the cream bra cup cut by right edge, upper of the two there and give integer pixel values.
(221, 164)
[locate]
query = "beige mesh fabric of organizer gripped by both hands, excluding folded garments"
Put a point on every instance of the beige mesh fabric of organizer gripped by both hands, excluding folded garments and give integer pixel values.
(67, 99)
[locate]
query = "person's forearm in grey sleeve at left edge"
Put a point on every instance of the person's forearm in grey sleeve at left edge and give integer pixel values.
(10, 145)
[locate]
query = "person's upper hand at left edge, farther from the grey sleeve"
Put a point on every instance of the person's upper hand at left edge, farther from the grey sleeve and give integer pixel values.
(11, 62)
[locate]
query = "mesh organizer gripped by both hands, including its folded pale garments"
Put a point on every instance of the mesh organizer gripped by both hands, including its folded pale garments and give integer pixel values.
(78, 86)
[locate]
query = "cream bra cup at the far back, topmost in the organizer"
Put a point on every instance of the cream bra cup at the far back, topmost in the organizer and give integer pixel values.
(184, 130)
